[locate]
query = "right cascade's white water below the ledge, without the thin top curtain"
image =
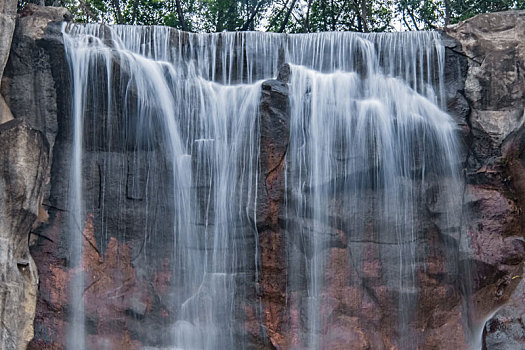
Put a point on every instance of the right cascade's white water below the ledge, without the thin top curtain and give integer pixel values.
(364, 147)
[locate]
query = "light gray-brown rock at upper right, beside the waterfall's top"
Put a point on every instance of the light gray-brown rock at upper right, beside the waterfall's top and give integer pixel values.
(495, 88)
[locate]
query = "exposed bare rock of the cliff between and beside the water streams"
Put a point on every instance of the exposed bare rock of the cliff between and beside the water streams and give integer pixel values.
(128, 298)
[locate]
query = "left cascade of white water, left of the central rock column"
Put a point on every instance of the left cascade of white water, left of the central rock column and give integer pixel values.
(209, 134)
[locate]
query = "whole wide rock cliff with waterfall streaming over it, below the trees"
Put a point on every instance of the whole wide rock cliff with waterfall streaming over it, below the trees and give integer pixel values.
(215, 206)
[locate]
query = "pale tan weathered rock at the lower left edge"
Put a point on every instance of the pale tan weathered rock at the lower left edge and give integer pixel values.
(23, 164)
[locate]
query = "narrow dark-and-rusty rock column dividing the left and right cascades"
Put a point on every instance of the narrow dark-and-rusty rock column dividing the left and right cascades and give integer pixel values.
(274, 114)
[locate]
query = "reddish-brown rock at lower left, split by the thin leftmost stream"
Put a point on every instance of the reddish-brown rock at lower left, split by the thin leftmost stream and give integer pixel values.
(111, 287)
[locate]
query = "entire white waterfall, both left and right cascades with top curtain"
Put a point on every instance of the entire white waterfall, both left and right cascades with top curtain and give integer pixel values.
(366, 139)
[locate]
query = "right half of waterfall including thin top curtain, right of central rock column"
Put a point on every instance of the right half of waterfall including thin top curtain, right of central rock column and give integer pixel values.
(366, 135)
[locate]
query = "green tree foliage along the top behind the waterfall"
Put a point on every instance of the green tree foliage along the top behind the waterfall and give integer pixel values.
(293, 16)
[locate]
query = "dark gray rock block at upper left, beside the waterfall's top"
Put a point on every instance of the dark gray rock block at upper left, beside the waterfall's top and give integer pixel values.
(36, 69)
